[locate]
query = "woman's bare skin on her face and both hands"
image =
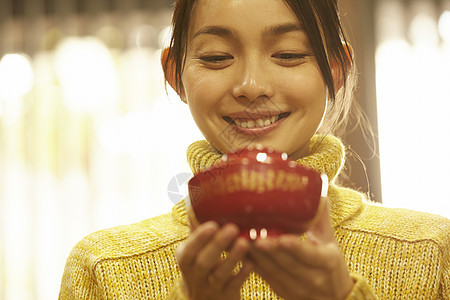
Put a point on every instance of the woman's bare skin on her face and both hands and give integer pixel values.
(251, 56)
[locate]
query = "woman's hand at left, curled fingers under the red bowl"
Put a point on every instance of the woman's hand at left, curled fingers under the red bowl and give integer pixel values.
(206, 275)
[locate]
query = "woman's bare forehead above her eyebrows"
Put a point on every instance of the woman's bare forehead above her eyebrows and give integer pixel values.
(243, 14)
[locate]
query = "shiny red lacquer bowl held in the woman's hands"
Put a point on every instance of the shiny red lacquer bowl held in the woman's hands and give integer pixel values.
(260, 190)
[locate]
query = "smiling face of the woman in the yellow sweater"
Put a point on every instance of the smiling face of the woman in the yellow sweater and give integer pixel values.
(251, 77)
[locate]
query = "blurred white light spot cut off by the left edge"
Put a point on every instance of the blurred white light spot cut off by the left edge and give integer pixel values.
(16, 76)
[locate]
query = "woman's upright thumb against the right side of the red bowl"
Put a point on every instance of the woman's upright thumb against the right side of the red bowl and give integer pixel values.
(322, 231)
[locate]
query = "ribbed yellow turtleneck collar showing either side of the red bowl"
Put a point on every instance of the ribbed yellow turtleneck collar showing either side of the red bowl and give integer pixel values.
(326, 156)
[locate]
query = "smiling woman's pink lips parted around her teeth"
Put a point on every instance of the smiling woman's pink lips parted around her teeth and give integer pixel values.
(256, 131)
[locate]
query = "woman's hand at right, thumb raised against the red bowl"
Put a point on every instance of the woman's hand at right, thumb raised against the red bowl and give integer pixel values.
(311, 269)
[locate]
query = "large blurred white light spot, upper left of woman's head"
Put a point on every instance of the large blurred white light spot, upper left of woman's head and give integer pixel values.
(87, 74)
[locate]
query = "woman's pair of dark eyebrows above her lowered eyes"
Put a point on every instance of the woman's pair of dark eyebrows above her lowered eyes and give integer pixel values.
(223, 31)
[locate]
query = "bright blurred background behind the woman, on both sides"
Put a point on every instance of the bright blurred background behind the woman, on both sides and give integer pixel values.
(90, 139)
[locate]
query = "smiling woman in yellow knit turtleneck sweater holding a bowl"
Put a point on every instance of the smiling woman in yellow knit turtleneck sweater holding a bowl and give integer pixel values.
(276, 73)
